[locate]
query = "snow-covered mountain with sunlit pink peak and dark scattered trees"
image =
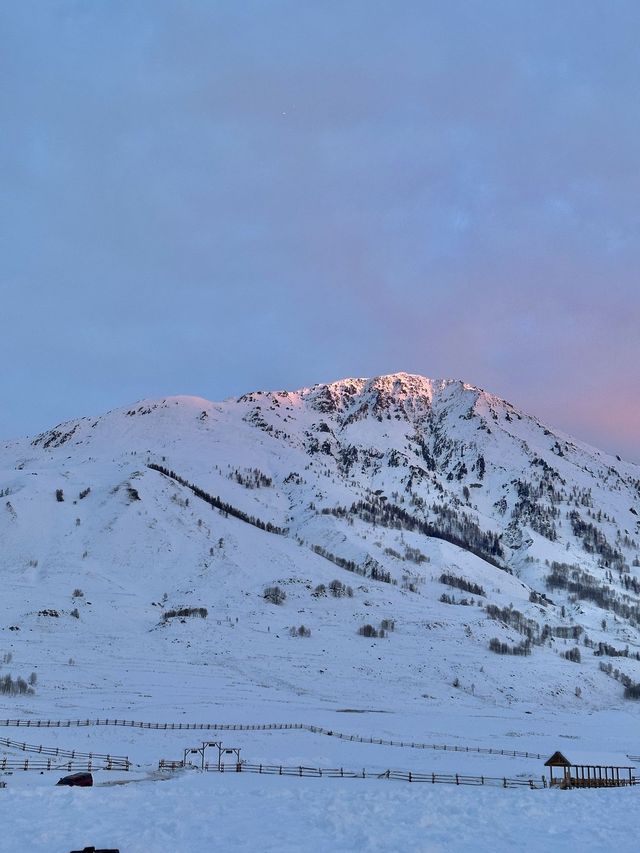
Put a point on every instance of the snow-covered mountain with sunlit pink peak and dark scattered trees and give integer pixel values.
(437, 543)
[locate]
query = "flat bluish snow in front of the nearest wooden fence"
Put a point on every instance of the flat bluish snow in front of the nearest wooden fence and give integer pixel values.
(277, 814)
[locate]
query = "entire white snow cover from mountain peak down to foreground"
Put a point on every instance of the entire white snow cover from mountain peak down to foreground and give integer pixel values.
(321, 466)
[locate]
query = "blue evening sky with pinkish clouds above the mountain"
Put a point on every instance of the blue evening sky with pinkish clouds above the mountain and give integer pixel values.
(214, 197)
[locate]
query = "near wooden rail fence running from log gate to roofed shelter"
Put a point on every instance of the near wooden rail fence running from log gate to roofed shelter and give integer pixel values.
(341, 773)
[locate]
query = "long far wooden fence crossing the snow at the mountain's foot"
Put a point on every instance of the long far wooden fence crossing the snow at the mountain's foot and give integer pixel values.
(239, 727)
